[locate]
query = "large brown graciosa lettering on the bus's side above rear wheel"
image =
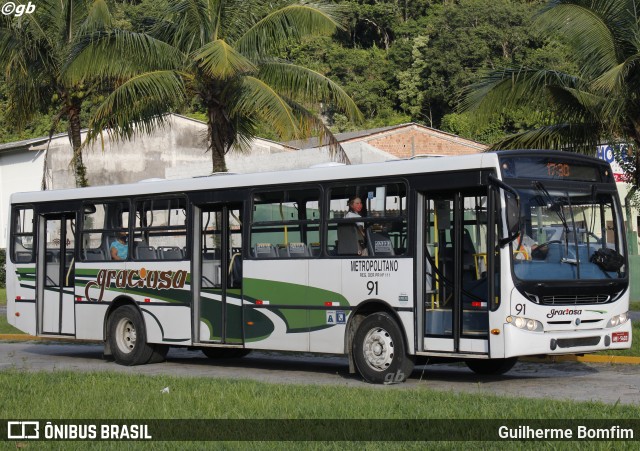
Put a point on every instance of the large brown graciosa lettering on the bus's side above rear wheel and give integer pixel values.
(155, 280)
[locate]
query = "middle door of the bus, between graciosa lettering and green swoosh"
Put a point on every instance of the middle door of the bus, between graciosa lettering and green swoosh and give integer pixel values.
(219, 263)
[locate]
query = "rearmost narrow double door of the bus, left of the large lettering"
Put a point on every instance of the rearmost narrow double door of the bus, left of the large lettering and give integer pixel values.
(56, 273)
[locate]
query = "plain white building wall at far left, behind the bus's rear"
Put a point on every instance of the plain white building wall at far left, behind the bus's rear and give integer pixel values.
(19, 171)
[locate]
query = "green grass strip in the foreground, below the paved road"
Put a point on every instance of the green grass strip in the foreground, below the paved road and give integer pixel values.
(120, 396)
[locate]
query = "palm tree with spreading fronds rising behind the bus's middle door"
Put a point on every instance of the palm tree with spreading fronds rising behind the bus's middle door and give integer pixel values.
(225, 53)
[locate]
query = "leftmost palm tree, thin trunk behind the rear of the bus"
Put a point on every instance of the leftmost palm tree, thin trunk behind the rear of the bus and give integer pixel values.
(34, 50)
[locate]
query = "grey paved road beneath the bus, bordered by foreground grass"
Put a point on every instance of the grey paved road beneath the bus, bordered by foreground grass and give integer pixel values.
(567, 380)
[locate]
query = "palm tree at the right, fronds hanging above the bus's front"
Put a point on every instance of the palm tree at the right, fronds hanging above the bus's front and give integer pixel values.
(600, 103)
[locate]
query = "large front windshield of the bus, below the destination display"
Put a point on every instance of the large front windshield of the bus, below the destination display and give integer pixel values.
(563, 232)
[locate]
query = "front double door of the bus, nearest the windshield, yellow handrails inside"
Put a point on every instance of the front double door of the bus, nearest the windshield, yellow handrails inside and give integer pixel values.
(455, 281)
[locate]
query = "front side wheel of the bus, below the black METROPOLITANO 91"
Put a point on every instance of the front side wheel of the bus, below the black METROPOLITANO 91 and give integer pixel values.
(379, 351)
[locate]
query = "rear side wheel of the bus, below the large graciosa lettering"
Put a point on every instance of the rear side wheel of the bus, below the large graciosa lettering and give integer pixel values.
(128, 338)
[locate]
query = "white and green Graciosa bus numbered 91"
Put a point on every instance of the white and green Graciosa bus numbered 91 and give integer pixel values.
(480, 258)
